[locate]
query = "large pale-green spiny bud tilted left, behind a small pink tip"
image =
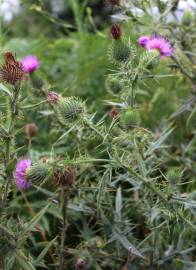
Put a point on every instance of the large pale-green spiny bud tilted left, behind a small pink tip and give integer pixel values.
(68, 109)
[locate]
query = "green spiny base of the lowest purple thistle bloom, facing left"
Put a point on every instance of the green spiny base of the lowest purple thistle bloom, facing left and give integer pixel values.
(37, 172)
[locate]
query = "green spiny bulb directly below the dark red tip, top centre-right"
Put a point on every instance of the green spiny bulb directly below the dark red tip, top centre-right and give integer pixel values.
(120, 51)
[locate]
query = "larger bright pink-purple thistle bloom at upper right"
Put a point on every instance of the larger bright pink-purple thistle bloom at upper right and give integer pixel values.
(161, 44)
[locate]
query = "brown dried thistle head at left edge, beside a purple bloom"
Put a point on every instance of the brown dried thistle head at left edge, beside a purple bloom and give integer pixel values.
(11, 71)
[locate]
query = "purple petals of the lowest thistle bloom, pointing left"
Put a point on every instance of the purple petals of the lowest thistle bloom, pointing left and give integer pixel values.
(20, 174)
